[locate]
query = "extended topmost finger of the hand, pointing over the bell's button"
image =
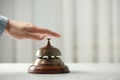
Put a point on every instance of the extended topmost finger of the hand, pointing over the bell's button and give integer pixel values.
(45, 31)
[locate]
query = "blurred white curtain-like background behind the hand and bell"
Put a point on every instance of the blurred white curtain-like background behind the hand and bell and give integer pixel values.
(89, 29)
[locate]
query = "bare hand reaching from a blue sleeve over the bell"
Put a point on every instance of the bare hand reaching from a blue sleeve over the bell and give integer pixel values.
(21, 30)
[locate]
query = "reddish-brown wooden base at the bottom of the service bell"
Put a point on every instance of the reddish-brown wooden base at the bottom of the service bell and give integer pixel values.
(48, 69)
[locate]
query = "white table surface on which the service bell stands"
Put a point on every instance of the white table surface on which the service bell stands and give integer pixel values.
(86, 71)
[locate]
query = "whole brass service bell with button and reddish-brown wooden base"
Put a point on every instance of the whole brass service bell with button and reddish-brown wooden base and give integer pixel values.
(48, 62)
